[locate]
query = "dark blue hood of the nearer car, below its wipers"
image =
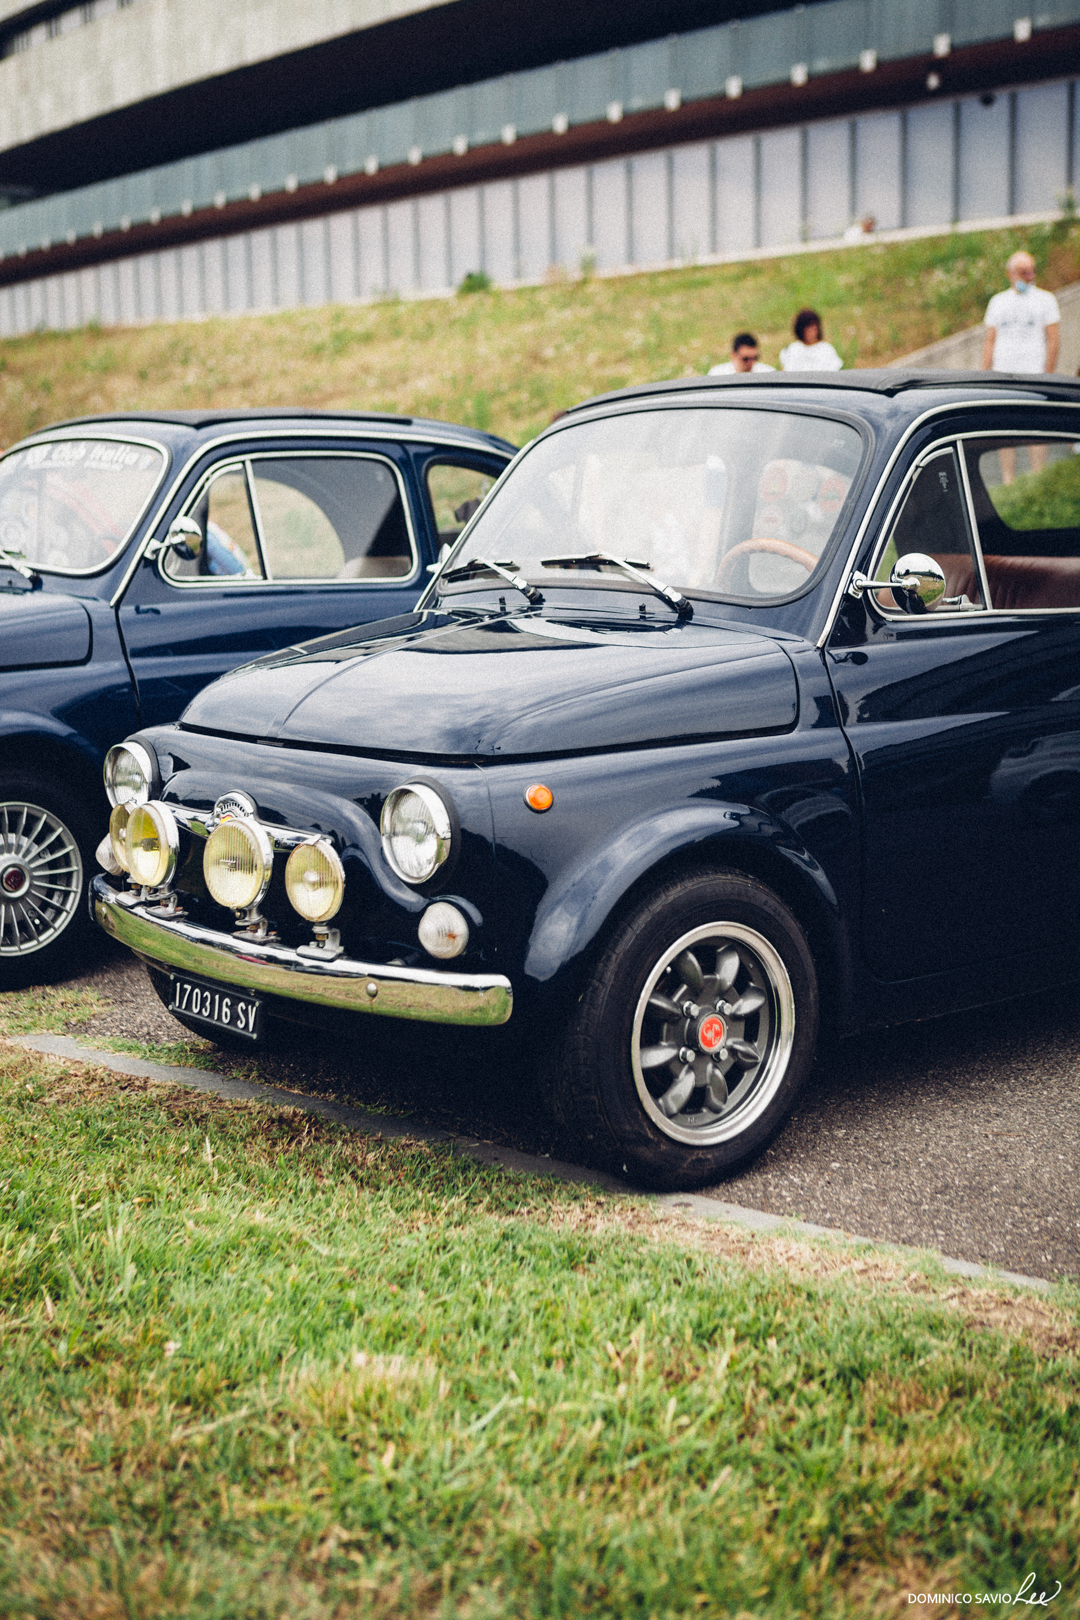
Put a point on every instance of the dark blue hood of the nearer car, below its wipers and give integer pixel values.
(509, 686)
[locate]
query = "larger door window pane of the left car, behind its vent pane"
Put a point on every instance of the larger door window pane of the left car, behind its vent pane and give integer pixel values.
(336, 518)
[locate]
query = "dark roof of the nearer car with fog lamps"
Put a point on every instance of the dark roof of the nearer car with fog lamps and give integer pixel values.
(887, 383)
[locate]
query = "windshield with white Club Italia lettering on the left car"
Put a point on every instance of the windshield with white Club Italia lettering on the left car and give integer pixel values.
(69, 506)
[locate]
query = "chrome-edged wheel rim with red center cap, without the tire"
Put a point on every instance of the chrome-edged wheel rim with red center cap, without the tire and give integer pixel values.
(713, 1034)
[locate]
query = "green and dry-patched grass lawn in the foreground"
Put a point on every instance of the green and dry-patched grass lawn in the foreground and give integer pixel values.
(255, 1366)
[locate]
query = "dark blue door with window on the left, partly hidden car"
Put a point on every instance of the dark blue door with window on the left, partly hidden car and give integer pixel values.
(292, 545)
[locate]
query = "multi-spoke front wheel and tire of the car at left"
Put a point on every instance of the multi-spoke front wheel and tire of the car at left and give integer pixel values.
(46, 861)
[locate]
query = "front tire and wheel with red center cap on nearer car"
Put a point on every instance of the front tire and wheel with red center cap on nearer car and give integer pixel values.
(718, 940)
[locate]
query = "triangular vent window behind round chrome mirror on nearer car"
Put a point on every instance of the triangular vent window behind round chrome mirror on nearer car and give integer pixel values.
(933, 519)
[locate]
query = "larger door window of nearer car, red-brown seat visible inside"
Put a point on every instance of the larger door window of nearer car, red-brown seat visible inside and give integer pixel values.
(1027, 506)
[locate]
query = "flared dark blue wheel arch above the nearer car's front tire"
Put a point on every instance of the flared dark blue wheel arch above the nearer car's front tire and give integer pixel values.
(569, 937)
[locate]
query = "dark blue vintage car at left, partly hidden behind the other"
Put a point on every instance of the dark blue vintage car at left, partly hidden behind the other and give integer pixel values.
(143, 556)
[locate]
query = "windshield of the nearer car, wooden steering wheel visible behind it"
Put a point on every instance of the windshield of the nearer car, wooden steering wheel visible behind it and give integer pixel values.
(731, 503)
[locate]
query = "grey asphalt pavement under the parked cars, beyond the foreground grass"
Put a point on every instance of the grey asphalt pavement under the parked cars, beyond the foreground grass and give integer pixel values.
(959, 1135)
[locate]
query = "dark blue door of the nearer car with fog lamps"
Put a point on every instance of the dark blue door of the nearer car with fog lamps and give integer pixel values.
(966, 720)
